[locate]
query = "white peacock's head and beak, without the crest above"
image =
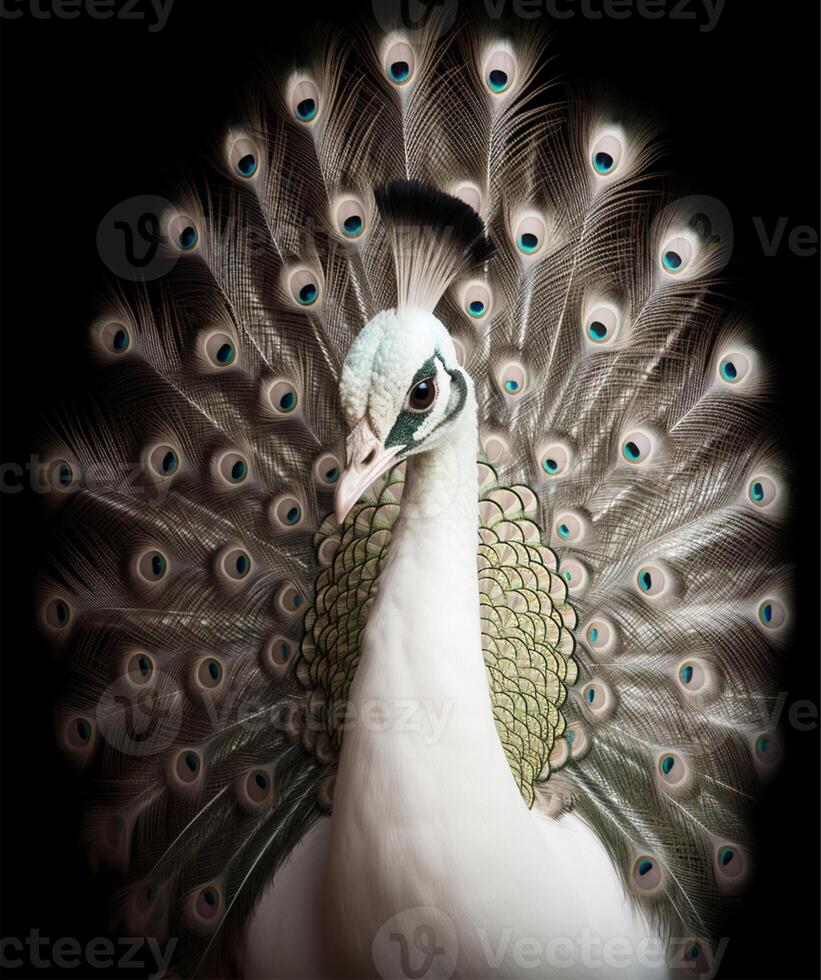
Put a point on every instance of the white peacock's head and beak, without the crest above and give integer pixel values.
(402, 392)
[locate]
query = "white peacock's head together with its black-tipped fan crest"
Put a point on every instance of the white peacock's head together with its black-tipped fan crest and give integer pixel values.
(402, 390)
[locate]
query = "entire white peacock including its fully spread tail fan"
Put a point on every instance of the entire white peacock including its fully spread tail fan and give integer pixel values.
(430, 634)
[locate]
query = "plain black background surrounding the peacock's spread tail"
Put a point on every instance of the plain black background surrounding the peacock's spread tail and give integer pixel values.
(96, 111)
